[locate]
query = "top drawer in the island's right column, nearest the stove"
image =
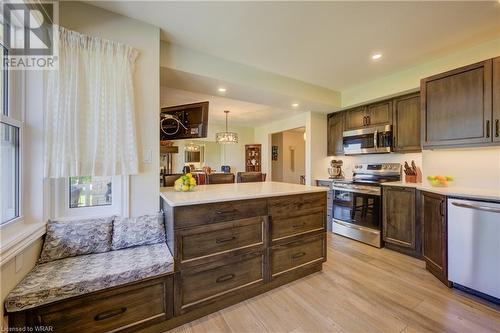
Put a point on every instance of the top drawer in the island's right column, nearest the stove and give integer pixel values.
(293, 204)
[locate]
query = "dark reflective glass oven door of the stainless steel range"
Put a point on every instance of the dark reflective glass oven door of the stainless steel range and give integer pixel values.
(358, 209)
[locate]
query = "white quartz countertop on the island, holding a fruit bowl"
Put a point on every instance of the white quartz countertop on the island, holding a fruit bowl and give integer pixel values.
(237, 191)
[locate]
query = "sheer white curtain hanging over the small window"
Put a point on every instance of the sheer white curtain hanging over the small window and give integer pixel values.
(89, 109)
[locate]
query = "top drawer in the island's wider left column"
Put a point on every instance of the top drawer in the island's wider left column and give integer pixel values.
(188, 216)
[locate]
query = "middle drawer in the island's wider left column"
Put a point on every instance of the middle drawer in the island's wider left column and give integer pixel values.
(206, 241)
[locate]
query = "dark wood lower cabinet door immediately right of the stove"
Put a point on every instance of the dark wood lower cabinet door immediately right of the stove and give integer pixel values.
(399, 216)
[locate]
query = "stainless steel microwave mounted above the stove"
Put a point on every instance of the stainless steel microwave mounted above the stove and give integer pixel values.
(372, 140)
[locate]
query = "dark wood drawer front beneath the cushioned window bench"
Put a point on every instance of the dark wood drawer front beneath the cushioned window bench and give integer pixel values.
(109, 312)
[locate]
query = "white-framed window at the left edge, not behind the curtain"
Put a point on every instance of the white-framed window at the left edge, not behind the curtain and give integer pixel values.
(10, 150)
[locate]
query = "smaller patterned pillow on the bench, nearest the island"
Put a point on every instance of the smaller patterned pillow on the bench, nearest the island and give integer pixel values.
(141, 230)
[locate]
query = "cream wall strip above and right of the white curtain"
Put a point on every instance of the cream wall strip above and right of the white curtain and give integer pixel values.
(84, 18)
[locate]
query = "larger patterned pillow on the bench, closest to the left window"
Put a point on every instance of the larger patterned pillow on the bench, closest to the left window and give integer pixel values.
(76, 237)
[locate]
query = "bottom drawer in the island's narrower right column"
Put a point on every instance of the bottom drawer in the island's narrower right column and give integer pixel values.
(296, 254)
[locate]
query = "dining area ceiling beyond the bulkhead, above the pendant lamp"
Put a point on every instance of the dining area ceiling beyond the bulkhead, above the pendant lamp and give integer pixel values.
(242, 113)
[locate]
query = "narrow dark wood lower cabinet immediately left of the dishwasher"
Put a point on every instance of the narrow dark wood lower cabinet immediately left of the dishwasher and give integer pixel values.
(435, 247)
